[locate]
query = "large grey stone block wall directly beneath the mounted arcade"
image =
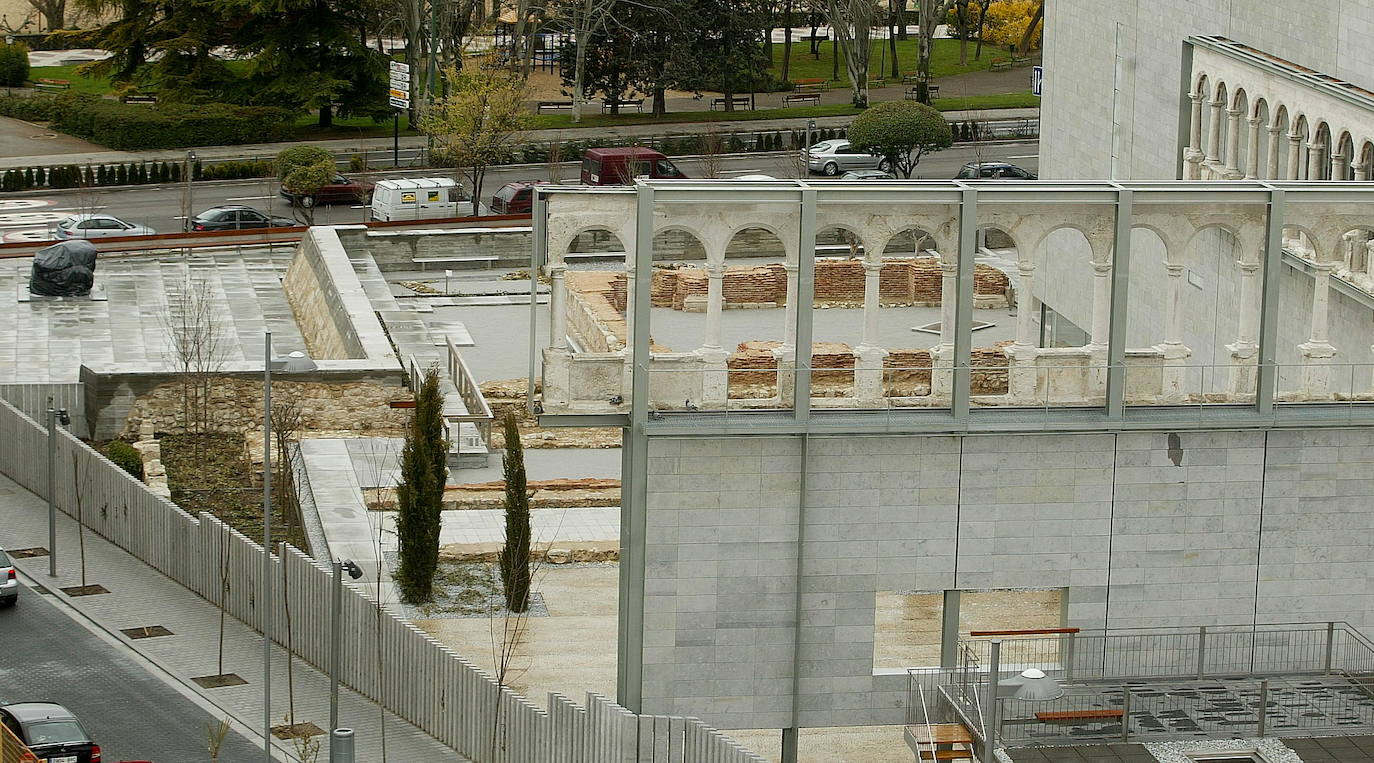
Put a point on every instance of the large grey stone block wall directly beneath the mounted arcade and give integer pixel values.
(1141, 529)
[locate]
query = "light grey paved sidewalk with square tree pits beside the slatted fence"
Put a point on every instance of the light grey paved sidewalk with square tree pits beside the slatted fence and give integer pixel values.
(141, 596)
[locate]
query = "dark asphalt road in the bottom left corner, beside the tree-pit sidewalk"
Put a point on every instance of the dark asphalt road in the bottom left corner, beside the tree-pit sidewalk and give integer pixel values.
(133, 714)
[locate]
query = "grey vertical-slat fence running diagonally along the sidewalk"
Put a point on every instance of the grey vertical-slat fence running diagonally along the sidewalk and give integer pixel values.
(385, 659)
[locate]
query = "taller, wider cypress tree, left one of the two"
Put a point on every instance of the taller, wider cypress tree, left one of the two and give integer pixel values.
(421, 494)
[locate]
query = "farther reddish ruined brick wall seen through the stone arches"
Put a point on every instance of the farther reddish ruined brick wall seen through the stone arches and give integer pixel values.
(910, 281)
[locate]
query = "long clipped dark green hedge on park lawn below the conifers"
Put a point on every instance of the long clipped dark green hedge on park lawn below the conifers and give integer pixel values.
(134, 127)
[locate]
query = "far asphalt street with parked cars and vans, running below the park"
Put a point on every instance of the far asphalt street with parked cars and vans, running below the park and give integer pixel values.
(160, 207)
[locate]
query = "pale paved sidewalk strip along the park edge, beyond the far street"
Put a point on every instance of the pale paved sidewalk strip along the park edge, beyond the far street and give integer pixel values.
(383, 145)
